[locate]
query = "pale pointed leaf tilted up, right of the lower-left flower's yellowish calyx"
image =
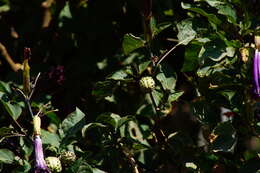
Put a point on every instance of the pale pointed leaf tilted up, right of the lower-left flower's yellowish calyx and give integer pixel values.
(72, 119)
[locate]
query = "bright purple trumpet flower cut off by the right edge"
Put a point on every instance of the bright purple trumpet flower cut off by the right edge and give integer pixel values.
(256, 73)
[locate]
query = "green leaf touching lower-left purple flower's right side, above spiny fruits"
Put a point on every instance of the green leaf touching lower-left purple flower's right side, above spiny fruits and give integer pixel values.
(50, 138)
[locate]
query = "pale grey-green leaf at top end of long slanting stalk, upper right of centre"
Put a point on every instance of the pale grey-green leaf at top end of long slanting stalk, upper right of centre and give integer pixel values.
(186, 32)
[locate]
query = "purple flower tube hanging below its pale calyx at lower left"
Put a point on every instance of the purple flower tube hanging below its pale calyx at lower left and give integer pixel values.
(40, 165)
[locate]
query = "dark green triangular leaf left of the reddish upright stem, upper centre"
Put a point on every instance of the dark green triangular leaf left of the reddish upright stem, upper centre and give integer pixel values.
(131, 43)
